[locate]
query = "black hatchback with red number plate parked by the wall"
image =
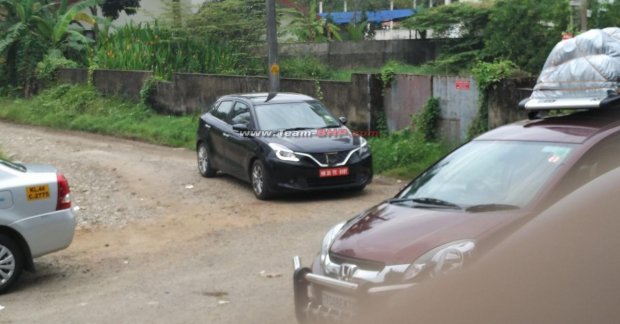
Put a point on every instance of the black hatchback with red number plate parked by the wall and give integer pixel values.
(281, 142)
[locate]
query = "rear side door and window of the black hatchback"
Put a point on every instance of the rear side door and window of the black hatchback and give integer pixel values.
(218, 131)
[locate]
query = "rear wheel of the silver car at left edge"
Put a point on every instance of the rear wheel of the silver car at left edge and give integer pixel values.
(11, 262)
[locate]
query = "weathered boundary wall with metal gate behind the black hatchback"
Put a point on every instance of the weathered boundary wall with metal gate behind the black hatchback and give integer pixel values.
(363, 100)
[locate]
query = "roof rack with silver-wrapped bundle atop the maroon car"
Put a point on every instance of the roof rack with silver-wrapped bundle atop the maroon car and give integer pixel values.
(580, 73)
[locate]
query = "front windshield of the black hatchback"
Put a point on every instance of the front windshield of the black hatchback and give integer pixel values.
(294, 115)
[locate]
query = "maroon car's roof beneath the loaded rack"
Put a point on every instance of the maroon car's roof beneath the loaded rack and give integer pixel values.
(574, 128)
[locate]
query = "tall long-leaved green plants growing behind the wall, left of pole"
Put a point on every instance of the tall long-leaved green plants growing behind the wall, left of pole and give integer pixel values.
(164, 50)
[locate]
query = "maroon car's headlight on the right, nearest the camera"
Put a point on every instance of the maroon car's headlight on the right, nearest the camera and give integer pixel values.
(441, 259)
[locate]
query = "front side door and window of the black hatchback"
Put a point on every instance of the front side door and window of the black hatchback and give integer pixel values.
(240, 148)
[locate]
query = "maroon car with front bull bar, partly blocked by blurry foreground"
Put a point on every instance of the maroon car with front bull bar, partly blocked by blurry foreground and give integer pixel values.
(472, 197)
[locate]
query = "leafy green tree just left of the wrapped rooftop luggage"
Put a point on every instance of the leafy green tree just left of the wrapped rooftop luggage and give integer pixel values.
(525, 31)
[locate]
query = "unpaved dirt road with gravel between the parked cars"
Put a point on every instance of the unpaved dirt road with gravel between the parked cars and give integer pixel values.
(157, 243)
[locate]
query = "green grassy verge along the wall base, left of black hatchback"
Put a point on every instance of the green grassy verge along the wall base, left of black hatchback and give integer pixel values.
(83, 108)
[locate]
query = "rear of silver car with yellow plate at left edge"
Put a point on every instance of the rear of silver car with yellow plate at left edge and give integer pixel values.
(35, 217)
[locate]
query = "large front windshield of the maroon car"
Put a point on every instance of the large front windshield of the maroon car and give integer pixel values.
(499, 174)
